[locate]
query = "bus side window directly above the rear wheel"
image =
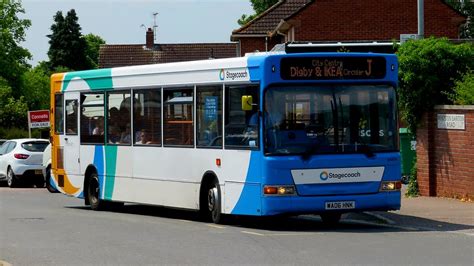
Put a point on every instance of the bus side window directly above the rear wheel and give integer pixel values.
(92, 118)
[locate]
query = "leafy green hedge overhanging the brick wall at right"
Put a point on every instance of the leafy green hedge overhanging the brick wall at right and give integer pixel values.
(429, 69)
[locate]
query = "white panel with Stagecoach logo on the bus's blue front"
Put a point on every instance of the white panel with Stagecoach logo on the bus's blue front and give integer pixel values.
(337, 175)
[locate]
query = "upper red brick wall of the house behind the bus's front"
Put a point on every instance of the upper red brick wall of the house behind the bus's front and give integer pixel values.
(345, 20)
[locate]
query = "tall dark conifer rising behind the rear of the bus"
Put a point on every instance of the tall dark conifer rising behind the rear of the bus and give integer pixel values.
(67, 45)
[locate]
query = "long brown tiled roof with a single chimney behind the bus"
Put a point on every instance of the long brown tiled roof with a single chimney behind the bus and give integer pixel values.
(117, 55)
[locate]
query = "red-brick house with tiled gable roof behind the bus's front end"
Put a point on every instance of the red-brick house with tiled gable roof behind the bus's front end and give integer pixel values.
(344, 21)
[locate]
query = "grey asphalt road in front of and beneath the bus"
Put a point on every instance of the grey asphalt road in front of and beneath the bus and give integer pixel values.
(39, 228)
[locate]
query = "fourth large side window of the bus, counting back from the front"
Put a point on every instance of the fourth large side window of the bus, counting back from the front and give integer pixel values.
(147, 117)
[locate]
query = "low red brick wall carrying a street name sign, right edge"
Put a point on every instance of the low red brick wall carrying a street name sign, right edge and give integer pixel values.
(445, 158)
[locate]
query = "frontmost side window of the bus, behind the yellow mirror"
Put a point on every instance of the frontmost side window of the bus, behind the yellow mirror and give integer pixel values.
(241, 127)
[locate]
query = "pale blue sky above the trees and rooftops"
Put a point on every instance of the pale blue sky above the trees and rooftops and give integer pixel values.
(125, 21)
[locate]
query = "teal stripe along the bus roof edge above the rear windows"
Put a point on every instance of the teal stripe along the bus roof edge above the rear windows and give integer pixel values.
(99, 79)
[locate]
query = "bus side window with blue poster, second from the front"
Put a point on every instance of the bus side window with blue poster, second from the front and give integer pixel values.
(209, 116)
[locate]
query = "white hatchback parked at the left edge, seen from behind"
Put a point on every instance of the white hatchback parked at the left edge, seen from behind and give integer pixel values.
(21, 160)
